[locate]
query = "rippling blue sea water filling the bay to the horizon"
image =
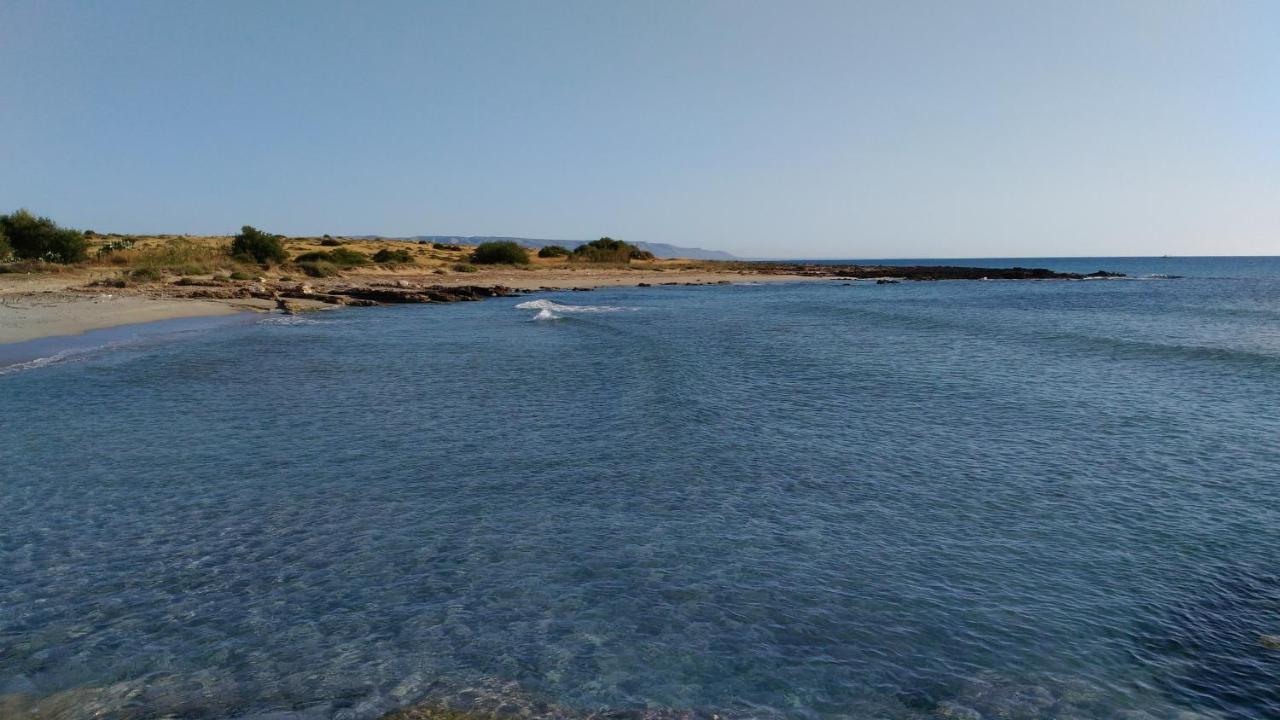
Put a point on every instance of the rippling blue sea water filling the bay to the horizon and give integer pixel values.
(810, 500)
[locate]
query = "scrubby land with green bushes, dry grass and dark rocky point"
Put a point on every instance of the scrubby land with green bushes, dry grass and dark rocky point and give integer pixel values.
(221, 266)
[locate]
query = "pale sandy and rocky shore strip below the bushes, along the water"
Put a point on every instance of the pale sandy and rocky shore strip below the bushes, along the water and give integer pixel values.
(45, 306)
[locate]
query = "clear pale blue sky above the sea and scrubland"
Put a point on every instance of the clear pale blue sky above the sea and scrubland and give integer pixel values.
(836, 130)
